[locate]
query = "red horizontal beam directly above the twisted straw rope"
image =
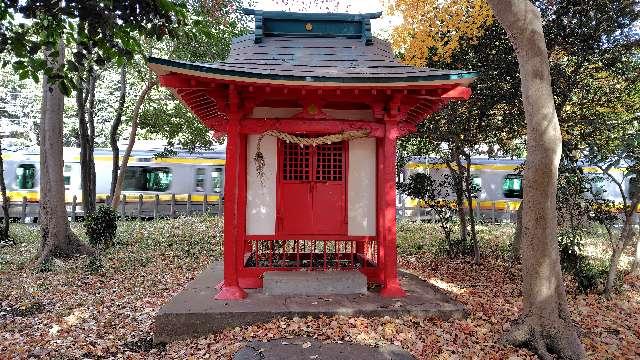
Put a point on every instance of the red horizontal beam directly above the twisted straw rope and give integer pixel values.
(258, 126)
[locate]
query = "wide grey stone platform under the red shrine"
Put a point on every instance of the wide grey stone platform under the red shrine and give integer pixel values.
(193, 312)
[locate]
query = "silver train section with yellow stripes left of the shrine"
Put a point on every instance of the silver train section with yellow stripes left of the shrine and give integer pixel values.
(186, 178)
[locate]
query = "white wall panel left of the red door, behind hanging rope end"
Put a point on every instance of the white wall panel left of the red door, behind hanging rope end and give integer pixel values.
(261, 196)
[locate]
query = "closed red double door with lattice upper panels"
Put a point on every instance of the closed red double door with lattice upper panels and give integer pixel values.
(312, 190)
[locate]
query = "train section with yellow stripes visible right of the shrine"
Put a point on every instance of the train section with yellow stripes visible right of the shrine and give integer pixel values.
(500, 182)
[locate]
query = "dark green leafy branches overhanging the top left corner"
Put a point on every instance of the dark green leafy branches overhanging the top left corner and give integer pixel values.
(103, 31)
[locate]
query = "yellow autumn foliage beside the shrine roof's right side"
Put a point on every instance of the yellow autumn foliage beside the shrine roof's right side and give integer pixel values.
(436, 28)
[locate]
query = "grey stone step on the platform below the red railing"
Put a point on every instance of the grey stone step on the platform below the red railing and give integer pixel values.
(331, 282)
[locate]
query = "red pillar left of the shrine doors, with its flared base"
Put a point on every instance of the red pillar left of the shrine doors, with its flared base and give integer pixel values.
(231, 289)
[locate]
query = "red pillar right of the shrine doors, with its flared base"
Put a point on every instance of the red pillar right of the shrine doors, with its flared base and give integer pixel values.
(391, 286)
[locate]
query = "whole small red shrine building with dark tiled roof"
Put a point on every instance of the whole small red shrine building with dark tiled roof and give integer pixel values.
(312, 106)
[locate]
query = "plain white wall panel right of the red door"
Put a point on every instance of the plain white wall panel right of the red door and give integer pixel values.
(362, 187)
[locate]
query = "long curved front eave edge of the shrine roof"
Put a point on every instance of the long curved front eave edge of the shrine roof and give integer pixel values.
(165, 66)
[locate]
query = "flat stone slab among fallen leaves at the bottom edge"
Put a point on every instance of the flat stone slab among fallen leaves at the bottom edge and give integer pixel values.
(306, 348)
